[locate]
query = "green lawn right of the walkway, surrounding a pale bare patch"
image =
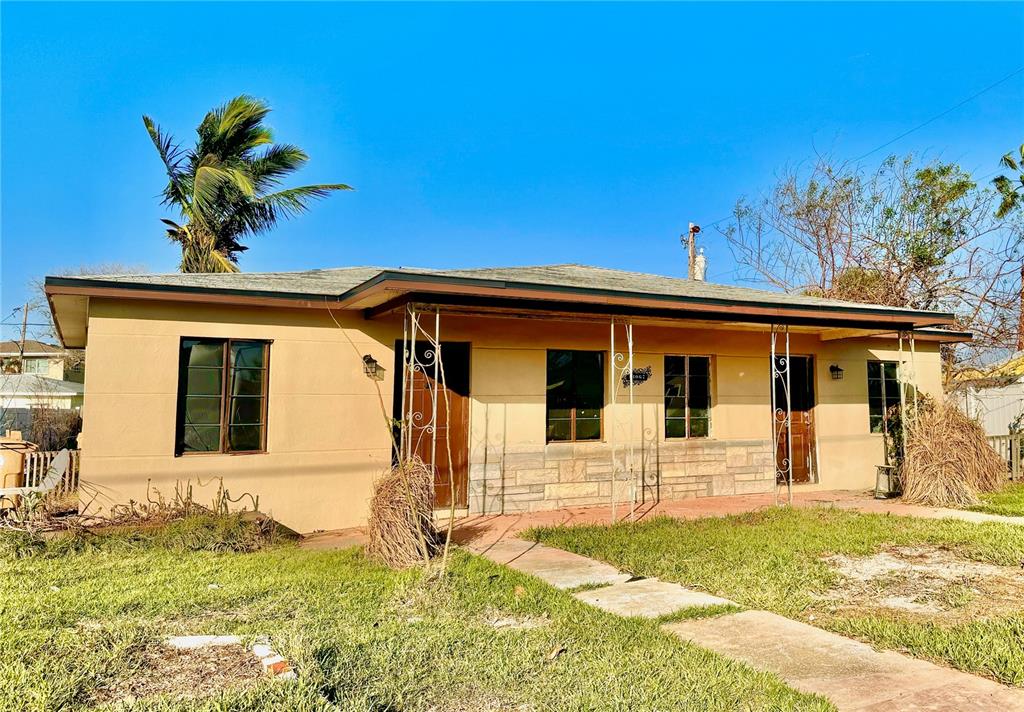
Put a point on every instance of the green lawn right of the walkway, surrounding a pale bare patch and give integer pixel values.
(774, 561)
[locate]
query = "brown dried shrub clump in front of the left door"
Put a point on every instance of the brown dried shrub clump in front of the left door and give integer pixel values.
(401, 528)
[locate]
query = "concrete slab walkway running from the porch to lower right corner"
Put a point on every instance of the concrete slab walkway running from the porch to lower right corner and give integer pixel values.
(851, 675)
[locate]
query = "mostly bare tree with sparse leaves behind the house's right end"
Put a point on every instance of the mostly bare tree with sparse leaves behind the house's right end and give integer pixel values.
(915, 234)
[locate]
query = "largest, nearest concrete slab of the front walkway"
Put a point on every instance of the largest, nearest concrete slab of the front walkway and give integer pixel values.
(851, 675)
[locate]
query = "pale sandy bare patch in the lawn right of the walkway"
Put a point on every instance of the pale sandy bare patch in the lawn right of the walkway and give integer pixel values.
(927, 581)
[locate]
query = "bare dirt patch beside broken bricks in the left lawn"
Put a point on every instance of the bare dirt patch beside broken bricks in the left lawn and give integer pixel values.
(184, 674)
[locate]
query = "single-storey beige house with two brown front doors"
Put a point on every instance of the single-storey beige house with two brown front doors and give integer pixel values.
(558, 386)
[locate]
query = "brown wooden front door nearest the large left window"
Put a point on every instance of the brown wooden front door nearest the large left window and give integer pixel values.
(450, 450)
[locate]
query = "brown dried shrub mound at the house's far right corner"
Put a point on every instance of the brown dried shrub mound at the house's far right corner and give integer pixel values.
(948, 460)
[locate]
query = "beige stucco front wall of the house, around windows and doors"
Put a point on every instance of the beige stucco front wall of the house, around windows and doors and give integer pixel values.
(326, 442)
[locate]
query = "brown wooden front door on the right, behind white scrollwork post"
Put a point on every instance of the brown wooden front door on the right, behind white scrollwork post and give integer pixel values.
(801, 401)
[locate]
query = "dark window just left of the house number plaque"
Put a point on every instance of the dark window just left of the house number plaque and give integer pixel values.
(576, 396)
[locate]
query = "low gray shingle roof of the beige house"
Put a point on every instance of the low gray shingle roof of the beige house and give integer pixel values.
(337, 282)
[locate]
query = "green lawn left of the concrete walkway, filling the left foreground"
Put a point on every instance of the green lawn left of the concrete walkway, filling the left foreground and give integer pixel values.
(362, 638)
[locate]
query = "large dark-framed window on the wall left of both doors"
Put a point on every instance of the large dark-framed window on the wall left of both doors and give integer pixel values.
(223, 387)
